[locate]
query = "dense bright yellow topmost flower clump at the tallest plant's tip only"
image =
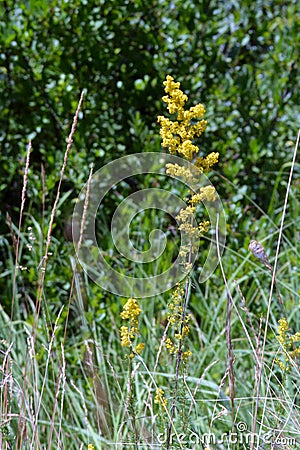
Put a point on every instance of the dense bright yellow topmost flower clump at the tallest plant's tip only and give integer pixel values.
(178, 135)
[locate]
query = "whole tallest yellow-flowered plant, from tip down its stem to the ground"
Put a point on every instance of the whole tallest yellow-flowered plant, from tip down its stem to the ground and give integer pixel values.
(178, 136)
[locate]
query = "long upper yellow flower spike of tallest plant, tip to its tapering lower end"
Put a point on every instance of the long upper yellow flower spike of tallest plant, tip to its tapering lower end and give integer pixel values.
(178, 137)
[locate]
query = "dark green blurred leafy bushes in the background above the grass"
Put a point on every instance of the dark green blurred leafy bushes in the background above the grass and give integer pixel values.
(239, 58)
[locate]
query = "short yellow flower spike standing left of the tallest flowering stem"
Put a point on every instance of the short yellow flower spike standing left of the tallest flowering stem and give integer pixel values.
(131, 311)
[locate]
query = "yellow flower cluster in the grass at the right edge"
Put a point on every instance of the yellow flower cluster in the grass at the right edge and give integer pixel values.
(289, 343)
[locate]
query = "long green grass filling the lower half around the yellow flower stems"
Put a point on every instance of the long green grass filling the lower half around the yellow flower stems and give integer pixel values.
(65, 377)
